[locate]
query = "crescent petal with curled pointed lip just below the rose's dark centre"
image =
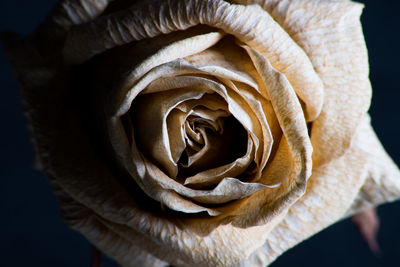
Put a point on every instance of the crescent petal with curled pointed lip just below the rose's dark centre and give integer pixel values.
(151, 178)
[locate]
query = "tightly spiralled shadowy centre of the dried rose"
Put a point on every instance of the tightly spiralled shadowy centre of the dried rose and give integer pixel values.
(187, 132)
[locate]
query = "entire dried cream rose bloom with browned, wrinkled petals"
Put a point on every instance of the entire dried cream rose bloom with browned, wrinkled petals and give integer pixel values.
(203, 132)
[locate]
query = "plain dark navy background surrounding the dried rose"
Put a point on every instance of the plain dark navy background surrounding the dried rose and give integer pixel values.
(33, 234)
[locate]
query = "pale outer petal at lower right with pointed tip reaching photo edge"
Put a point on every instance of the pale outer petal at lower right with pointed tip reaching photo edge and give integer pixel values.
(364, 173)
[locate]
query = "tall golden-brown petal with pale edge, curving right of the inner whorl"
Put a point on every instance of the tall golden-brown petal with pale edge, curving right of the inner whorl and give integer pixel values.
(261, 207)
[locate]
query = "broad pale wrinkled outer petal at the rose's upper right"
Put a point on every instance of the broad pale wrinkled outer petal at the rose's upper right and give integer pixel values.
(330, 33)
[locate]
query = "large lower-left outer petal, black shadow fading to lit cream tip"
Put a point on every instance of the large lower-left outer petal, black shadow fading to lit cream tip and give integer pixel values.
(79, 170)
